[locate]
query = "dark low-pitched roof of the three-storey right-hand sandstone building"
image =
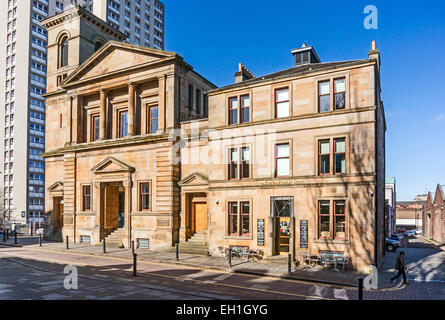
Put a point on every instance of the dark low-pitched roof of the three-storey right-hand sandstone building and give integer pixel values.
(294, 71)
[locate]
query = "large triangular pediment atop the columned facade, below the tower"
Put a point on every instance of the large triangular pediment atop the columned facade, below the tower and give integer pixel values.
(115, 57)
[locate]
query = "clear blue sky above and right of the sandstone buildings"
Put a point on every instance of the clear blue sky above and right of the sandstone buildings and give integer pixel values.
(213, 36)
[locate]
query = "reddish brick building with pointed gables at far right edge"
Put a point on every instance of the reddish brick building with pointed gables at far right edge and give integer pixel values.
(435, 215)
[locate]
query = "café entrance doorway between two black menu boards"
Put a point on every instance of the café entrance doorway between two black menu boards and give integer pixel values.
(282, 212)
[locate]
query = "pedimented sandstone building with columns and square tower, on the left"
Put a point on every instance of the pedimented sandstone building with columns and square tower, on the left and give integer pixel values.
(107, 147)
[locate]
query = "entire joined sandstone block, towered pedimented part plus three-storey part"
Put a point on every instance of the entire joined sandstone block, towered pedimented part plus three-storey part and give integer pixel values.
(289, 162)
